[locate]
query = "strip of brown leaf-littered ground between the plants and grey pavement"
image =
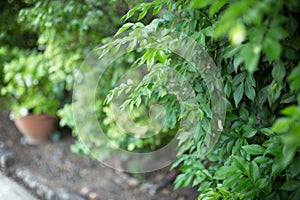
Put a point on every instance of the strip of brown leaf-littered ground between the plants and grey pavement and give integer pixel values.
(52, 171)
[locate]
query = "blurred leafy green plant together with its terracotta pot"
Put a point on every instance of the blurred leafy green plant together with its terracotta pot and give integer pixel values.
(34, 90)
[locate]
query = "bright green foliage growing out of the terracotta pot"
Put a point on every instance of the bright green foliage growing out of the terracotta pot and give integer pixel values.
(33, 85)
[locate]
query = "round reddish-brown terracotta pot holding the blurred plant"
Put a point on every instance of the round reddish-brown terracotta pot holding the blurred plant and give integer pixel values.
(36, 128)
